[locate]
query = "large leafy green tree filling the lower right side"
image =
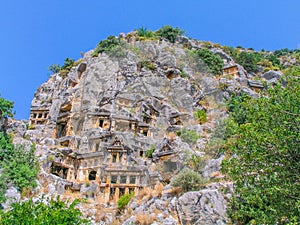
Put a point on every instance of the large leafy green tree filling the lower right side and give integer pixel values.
(263, 157)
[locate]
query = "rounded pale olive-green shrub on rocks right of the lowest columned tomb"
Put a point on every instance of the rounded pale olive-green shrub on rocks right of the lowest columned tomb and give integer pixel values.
(188, 180)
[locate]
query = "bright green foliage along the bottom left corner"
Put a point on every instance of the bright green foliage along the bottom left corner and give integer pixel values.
(56, 212)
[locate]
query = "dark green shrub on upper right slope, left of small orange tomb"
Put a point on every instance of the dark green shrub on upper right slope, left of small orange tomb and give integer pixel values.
(214, 62)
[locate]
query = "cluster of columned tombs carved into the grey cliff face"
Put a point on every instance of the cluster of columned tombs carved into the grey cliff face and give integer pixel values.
(99, 152)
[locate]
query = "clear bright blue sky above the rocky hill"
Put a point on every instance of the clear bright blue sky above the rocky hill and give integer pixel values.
(35, 34)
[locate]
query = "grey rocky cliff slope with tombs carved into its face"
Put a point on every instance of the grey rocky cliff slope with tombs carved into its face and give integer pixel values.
(114, 124)
